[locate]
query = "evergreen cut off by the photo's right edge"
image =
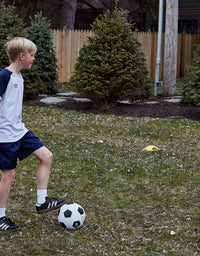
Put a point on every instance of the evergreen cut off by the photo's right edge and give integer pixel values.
(191, 88)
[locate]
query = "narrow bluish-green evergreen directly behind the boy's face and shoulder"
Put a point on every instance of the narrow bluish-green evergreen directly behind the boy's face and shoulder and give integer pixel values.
(42, 78)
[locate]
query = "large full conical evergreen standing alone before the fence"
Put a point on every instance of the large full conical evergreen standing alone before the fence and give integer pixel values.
(112, 66)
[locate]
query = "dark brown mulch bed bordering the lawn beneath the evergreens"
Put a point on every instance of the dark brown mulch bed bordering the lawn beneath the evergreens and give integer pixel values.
(162, 109)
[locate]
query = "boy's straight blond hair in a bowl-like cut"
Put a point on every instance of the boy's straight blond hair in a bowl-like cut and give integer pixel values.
(18, 45)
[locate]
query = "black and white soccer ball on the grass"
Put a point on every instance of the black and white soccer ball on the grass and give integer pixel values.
(71, 216)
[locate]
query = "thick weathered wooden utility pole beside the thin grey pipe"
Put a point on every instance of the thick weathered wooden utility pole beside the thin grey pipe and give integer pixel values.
(170, 55)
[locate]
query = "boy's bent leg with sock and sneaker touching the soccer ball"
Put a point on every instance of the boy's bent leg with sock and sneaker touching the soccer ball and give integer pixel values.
(45, 204)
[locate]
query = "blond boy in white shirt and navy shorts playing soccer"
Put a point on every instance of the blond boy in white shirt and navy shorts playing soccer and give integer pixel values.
(15, 140)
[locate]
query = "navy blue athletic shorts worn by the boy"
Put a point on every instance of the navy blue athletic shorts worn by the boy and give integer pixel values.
(10, 152)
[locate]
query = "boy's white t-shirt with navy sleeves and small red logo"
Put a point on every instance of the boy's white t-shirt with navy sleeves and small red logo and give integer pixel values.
(11, 90)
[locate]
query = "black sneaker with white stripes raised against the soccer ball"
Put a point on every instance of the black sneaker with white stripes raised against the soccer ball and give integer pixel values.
(49, 205)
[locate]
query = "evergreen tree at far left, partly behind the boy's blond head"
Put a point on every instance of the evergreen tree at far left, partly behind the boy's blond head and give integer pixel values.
(11, 26)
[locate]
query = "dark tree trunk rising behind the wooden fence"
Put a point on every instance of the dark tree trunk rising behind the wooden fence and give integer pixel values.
(68, 14)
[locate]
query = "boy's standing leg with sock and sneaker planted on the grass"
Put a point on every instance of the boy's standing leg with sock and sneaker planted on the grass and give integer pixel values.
(7, 179)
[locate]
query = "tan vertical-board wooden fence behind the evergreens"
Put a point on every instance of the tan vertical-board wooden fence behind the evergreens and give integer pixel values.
(67, 45)
